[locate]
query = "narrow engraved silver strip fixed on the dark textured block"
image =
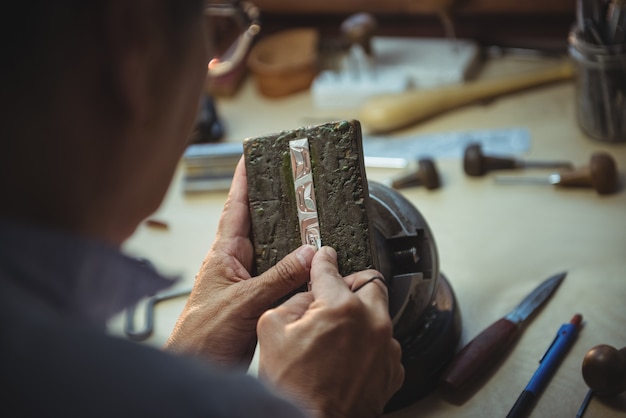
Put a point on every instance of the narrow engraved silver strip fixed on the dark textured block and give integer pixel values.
(305, 191)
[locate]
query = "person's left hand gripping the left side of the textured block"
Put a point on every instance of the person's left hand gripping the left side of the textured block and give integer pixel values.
(220, 318)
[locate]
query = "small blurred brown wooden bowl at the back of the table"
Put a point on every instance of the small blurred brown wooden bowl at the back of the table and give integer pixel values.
(285, 62)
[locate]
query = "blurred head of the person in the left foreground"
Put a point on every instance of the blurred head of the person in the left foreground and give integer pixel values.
(101, 97)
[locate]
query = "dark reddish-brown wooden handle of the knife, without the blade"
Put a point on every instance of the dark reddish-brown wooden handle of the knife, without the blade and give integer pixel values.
(480, 354)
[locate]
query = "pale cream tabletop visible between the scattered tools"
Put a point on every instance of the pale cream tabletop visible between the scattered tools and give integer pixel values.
(495, 242)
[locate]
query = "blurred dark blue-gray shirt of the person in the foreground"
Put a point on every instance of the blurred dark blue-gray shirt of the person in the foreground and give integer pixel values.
(56, 294)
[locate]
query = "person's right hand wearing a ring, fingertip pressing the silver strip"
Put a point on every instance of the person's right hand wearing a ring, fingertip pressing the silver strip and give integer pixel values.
(331, 349)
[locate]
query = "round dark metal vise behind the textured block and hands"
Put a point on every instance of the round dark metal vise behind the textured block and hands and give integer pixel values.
(422, 305)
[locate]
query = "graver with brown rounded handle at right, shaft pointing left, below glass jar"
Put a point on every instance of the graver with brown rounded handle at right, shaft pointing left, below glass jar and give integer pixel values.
(601, 174)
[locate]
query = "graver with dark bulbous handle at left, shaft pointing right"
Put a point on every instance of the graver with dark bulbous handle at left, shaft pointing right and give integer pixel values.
(476, 164)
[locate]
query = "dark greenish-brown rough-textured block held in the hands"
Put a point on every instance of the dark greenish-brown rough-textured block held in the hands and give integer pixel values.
(341, 195)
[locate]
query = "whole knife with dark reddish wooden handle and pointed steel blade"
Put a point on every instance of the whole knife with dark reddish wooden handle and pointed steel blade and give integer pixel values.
(484, 351)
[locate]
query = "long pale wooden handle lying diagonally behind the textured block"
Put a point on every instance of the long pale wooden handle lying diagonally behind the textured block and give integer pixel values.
(388, 112)
